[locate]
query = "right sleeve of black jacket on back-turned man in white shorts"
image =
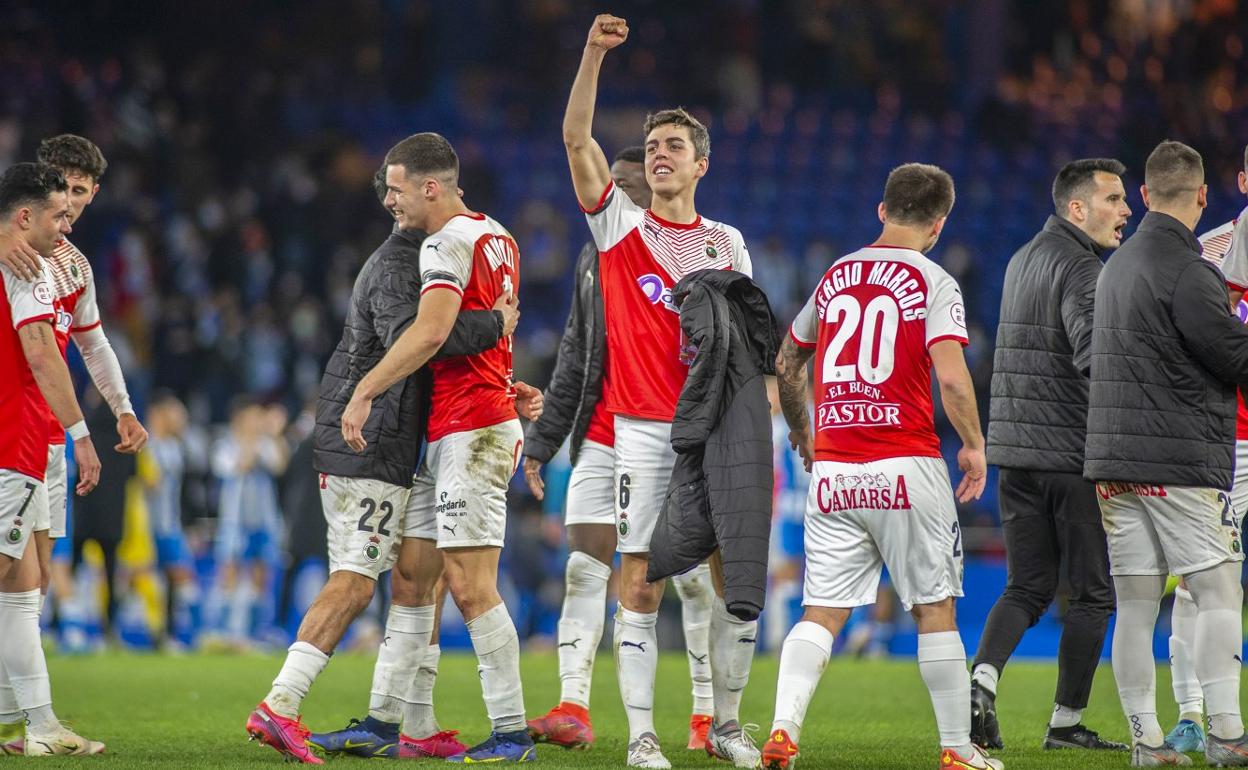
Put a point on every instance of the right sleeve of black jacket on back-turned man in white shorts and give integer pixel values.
(1202, 315)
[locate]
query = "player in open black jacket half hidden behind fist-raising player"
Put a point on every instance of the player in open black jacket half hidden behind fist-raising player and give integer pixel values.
(577, 406)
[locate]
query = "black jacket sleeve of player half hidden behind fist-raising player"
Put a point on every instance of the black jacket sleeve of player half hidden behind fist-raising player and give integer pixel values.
(563, 396)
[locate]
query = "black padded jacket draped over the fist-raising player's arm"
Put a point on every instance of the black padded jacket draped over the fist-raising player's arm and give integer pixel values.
(722, 486)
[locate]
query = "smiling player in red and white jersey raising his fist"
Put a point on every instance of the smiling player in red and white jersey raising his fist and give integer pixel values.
(643, 255)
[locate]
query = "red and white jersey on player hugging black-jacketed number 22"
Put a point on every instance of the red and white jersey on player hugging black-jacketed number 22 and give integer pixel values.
(475, 256)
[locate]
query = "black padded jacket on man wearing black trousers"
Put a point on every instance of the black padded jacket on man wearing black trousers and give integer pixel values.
(1039, 412)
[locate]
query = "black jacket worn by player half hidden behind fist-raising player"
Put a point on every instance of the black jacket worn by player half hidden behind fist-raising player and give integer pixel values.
(577, 381)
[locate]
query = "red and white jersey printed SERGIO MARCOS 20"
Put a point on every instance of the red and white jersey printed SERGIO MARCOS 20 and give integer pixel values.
(872, 321)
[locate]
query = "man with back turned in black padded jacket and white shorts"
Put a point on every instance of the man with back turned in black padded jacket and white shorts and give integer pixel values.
(1168, 358)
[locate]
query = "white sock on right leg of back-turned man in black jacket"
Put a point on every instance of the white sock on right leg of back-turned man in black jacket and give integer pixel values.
(1219, 645)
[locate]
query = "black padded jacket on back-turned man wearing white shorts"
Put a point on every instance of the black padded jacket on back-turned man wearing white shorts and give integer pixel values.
(1168, 358)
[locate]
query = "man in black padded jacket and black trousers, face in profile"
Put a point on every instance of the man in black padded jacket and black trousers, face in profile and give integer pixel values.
(1036, 432)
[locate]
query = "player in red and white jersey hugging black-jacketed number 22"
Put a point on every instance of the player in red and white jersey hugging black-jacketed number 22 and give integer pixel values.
(460, 501)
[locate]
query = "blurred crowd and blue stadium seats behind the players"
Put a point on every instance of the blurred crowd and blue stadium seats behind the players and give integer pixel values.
(238, 207)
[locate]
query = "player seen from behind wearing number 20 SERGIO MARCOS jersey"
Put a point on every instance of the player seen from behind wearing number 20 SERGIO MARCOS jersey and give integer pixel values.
(879, 321)
